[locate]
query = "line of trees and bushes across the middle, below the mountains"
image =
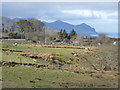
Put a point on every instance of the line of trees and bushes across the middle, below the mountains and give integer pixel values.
(34, 30)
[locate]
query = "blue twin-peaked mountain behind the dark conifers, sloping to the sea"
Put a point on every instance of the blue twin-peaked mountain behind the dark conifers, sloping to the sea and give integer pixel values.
(82, 29)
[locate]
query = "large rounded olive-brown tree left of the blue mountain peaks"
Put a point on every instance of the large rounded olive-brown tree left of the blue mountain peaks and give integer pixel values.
(31, 28)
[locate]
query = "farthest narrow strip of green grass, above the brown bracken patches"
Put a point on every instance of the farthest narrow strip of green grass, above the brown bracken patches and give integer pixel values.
(66, 52)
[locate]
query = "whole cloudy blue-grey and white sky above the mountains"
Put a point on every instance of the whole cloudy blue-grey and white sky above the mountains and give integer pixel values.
(103, 16)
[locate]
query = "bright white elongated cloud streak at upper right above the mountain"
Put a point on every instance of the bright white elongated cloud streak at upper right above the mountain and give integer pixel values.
(91, 13)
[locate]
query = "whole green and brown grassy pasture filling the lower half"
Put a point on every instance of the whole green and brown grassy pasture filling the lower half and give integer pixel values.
(30, 77)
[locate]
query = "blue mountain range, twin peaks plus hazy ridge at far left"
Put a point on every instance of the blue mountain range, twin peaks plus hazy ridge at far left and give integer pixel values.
(81, 29)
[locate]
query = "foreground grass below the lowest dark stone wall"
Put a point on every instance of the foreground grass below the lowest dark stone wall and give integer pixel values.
(27, 77)
